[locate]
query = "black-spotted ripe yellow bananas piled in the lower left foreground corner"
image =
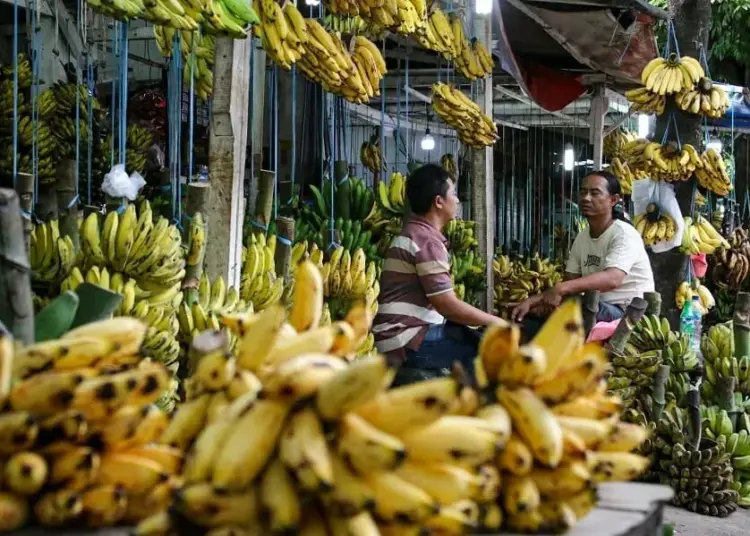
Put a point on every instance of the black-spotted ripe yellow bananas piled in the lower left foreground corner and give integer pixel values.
(79, 423)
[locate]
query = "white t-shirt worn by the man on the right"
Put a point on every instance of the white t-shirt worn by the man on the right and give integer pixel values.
(620, 246)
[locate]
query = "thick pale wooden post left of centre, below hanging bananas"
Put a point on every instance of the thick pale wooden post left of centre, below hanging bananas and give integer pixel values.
(226, 156)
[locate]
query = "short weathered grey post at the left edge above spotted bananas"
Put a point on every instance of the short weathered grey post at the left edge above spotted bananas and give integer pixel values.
(16, 307)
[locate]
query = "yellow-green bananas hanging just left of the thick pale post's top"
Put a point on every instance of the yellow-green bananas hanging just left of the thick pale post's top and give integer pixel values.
(191, 42)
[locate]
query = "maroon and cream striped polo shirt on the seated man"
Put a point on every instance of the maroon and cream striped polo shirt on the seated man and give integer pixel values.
(416, 267)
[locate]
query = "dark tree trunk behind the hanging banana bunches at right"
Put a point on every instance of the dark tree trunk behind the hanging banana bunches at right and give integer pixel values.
(692, 23)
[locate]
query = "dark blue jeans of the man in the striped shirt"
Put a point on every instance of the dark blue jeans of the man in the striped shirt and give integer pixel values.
(435, 357)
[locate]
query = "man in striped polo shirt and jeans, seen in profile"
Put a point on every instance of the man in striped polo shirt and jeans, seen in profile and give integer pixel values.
(416, 290)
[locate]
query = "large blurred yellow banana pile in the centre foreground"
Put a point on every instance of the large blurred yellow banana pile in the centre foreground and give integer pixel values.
(388, 461)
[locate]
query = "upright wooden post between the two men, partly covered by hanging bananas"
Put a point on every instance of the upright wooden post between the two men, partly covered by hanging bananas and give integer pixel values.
(483, 186)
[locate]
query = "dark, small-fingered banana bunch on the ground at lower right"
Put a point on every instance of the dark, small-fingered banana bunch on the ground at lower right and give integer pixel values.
(702, 479)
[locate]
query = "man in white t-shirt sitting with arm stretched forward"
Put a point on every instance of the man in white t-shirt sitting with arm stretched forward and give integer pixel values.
(608, 256)
